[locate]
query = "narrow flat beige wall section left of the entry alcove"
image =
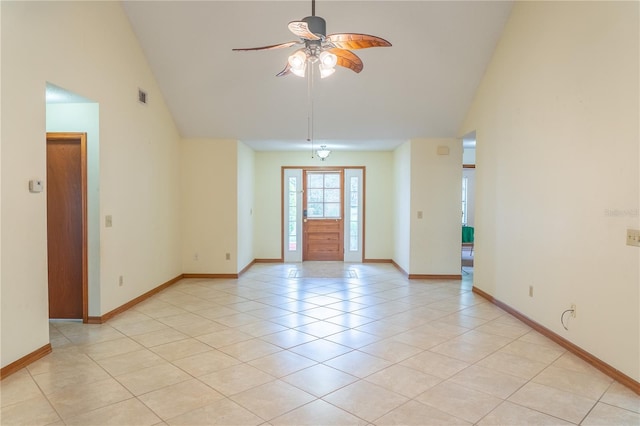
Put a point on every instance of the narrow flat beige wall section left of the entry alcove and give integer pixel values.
(210, 205)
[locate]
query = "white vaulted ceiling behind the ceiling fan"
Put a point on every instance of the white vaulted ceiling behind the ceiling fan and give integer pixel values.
(422, 86)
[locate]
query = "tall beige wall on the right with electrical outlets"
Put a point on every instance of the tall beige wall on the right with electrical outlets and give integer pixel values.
(557, 123)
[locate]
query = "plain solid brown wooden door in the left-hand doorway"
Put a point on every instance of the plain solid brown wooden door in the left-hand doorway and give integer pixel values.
(66, 225)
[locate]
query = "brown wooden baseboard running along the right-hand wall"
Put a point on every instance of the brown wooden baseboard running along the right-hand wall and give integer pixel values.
(574, 349)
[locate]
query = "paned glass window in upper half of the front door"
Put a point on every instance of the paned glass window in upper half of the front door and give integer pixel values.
(323, 195)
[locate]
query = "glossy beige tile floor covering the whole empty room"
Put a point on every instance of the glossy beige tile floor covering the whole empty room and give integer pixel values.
(312, 344)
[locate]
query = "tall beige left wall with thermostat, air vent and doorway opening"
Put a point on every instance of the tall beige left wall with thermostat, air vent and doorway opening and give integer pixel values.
(98, 57)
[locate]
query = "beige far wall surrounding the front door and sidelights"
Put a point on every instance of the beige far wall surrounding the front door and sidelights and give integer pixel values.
(378, 192)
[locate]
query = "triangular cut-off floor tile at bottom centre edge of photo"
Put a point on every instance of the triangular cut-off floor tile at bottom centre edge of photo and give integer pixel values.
(317, 413)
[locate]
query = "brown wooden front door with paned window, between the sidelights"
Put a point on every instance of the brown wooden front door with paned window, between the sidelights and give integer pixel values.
(323, 215)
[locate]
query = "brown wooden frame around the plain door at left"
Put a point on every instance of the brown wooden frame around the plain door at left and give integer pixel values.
(81, 138)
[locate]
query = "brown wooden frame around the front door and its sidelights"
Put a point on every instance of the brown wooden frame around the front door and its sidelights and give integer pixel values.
(283, 195)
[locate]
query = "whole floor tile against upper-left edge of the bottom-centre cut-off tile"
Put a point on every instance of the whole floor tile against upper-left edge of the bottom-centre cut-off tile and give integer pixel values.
(272, 399)
